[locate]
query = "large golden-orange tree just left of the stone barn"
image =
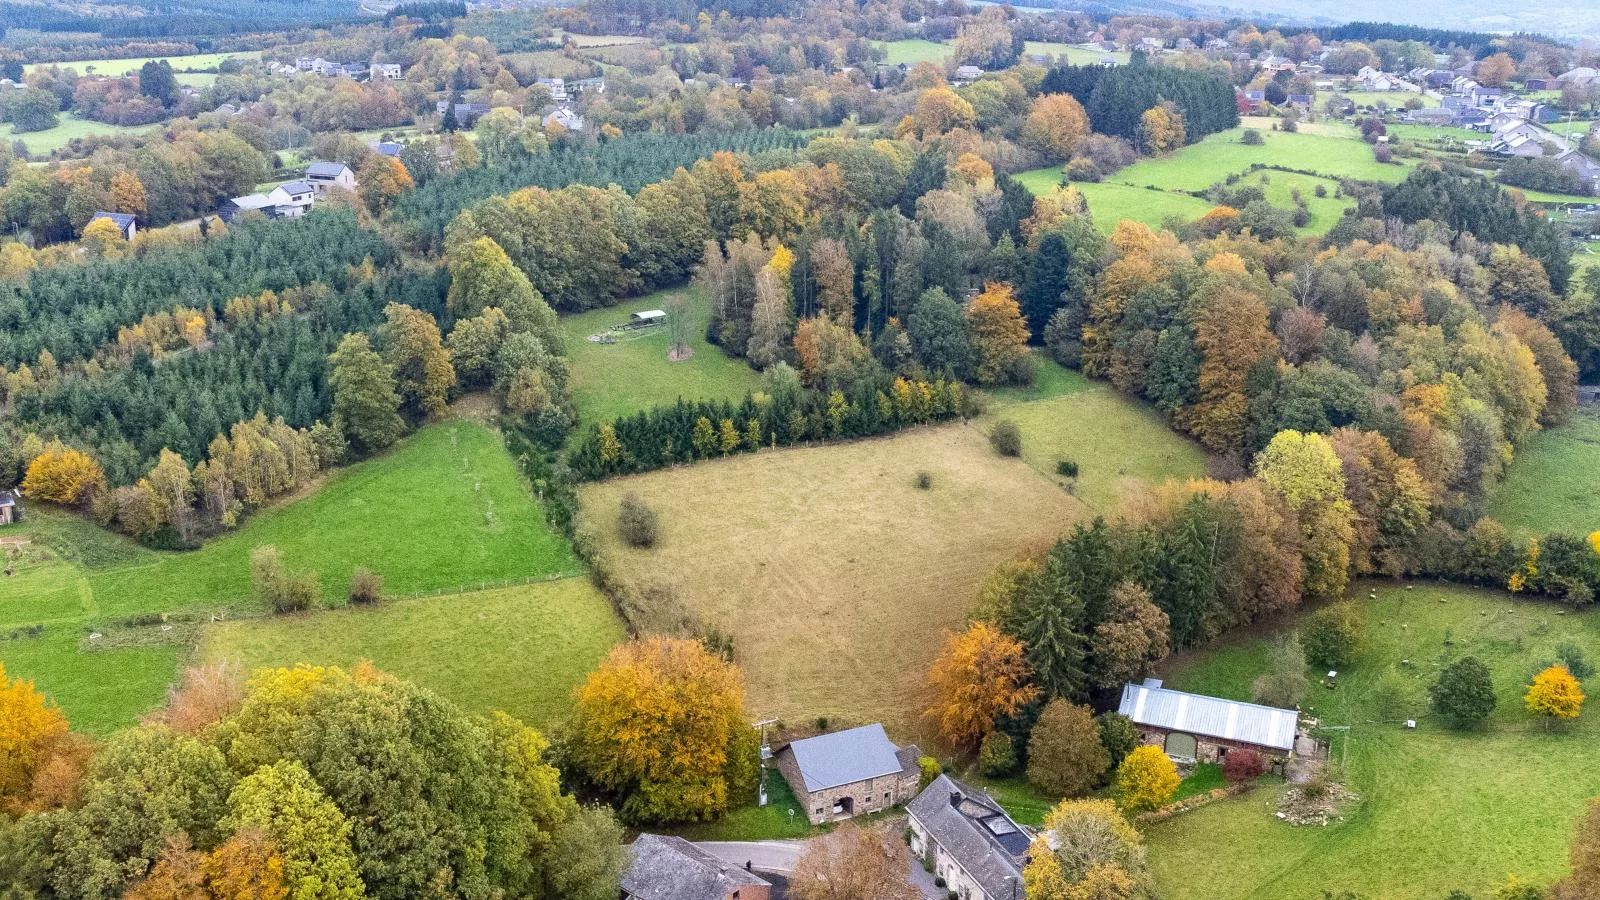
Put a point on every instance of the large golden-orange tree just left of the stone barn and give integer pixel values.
(662, 726)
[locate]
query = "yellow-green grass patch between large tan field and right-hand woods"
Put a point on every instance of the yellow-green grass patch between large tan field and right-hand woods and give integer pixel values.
(1119, 444)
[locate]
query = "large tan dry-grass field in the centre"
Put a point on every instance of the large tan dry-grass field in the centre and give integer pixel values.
(833, 573)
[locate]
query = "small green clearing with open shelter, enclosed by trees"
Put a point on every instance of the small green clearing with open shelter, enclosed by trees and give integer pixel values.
(634, 374)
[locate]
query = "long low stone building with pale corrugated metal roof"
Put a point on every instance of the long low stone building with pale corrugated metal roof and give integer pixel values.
(1193, 728)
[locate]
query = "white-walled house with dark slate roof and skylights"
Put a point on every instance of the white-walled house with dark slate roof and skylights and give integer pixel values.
(970, 842)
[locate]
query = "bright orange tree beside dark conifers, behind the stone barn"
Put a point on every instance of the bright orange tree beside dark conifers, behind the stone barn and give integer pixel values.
(978, 677)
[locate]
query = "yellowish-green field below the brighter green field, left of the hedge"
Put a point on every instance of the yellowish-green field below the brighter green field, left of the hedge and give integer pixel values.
(518, 649)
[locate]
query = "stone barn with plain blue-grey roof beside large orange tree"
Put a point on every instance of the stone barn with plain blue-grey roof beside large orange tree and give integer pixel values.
(841, 774)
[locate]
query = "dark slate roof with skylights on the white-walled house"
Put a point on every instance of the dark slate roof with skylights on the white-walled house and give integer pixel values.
(972, 829)
